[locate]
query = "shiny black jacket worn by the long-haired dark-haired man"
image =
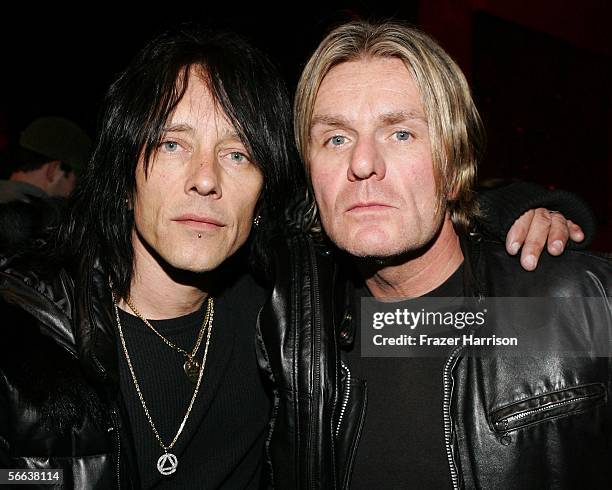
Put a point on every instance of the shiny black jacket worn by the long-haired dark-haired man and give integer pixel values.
(59, 397)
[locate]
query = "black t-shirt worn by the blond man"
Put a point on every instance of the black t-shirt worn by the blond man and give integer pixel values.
(402, 442)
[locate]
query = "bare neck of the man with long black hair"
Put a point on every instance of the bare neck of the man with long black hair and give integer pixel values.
(158, 294)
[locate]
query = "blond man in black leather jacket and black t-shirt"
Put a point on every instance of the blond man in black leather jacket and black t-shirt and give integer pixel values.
(391, 139)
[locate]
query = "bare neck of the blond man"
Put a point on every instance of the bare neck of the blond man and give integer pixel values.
(422, 272)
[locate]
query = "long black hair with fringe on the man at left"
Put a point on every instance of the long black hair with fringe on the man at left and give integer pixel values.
(248, 88)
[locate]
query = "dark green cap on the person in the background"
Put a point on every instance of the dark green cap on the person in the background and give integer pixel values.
(57, 138)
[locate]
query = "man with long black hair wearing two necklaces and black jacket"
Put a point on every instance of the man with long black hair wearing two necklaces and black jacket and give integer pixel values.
(128, 353)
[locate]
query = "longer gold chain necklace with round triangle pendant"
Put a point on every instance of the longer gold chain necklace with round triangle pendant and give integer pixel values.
(167, 462)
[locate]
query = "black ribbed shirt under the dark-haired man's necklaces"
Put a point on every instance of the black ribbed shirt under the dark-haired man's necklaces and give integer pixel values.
(222, 444)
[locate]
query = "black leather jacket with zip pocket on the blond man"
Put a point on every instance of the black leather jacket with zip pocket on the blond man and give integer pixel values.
(563, 437)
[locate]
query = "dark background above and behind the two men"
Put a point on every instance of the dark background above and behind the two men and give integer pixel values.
(541, 71)
